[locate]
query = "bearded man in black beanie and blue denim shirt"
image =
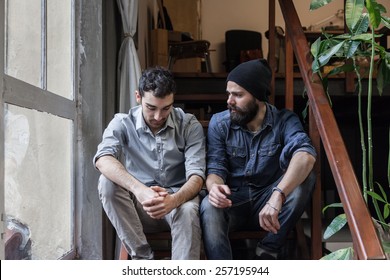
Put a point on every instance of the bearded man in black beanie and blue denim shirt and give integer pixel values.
(259, 167)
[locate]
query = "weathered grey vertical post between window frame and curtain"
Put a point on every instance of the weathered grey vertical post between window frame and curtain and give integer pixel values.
(89, 45)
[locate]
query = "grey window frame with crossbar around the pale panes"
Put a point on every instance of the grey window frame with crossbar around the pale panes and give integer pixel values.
(22, 94)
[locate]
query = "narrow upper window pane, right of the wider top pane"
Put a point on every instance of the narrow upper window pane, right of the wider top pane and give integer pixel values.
(59, 44)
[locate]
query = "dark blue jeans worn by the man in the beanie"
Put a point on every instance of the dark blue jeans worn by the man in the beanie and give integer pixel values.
(244, 215)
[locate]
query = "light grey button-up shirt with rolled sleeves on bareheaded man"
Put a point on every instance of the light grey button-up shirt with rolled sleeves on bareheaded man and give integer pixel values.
(166, 159)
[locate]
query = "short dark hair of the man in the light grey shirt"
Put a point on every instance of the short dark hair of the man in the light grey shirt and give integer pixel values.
(158, 80)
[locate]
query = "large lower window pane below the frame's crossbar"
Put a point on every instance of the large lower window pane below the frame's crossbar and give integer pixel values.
(38, 183)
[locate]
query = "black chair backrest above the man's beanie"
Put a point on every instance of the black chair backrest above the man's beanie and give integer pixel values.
(237, 41)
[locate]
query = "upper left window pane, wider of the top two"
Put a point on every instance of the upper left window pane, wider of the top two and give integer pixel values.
(23, 40)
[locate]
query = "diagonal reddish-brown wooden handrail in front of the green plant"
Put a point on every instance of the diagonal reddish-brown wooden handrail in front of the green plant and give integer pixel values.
(365, 239)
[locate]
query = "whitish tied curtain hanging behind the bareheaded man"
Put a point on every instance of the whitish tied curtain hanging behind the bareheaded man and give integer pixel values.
(129, 69)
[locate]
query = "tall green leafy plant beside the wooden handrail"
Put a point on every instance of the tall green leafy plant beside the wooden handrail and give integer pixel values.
(353, 48)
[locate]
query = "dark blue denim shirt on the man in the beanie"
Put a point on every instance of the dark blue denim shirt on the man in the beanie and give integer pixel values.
(241, 157)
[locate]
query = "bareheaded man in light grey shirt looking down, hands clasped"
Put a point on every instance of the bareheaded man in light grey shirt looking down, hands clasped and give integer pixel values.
(153, 165)
